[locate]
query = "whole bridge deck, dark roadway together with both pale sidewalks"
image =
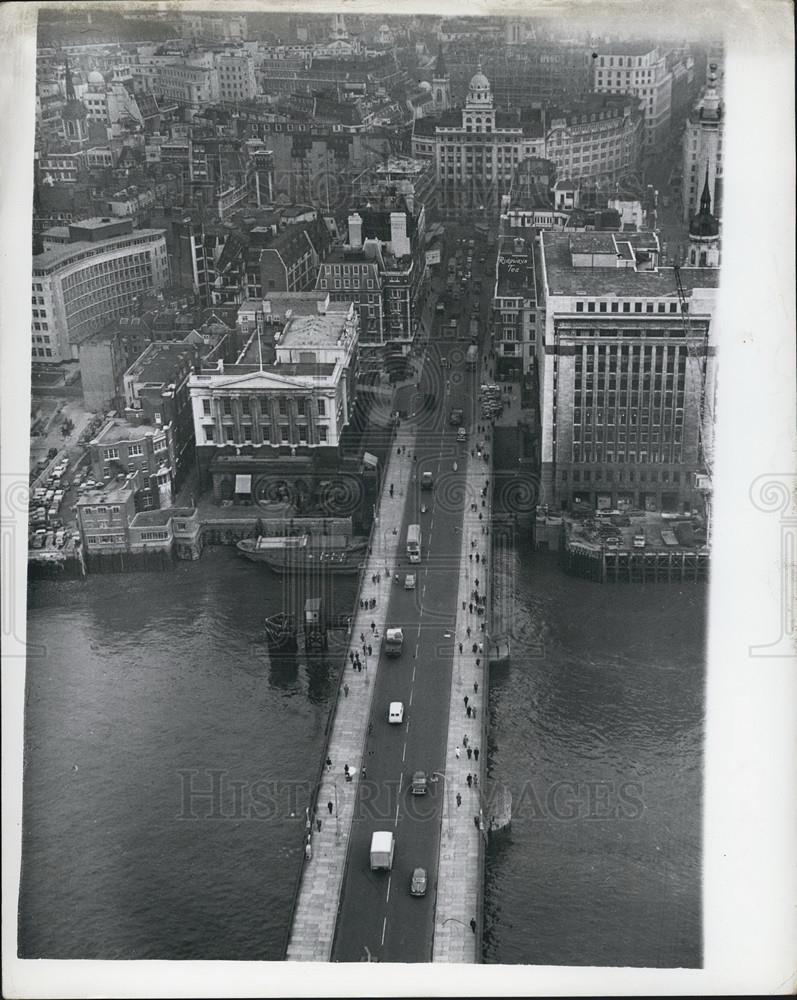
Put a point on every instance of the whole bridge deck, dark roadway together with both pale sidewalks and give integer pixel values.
(343, 911)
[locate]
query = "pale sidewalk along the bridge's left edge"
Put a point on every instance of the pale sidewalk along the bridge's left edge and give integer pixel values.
(316, 910)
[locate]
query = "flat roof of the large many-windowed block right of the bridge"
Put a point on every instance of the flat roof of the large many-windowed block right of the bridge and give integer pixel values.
(565, 279)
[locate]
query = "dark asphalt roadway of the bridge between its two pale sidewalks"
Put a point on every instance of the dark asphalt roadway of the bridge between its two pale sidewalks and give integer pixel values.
(377, 912)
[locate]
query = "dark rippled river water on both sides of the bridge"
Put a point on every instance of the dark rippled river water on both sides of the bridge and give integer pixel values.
(154, 686)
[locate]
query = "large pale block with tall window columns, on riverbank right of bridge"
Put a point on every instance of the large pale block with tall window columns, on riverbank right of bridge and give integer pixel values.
(625, 382)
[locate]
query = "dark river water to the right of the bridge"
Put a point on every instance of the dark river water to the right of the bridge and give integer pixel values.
(597, 730)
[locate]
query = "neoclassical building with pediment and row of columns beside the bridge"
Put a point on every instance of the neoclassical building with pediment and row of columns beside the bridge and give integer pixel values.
(263, 428)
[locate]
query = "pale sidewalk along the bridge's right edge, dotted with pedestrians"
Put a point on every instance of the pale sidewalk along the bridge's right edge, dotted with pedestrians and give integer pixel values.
(457, 933)
